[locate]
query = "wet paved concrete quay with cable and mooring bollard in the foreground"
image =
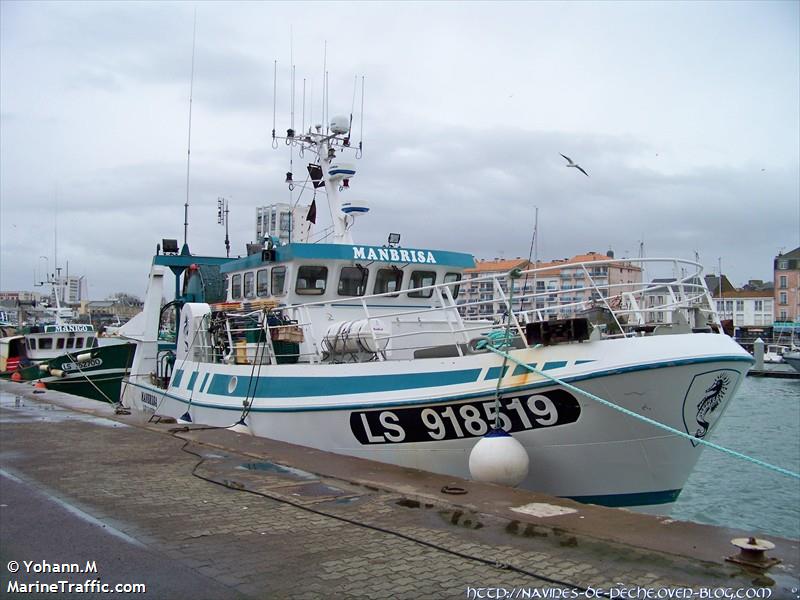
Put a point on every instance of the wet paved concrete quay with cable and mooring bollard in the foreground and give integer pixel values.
(209, 513)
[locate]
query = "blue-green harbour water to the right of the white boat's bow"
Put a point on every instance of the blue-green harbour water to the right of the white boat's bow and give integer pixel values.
(763, 422)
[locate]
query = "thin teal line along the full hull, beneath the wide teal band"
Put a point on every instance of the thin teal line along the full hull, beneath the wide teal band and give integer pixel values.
(444, 399)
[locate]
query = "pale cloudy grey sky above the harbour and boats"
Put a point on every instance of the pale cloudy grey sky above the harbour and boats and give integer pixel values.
(686, 115)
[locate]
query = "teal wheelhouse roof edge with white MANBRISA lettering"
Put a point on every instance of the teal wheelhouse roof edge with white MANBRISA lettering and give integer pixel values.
(359, 253)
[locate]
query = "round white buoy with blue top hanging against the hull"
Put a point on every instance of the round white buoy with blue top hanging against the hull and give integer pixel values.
(499, 458)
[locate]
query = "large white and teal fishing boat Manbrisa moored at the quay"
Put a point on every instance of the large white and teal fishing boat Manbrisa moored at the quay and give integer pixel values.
(376, 352)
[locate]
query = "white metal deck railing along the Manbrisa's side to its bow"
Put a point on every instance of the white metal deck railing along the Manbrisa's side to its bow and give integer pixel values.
(630, 306)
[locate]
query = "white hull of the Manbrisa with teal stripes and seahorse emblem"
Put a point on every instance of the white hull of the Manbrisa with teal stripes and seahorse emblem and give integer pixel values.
(577, 447)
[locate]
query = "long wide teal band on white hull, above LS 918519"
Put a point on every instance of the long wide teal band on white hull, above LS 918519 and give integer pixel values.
(299, 387)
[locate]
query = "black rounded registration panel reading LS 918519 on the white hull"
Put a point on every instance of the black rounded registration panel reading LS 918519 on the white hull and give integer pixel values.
(464, 419)
